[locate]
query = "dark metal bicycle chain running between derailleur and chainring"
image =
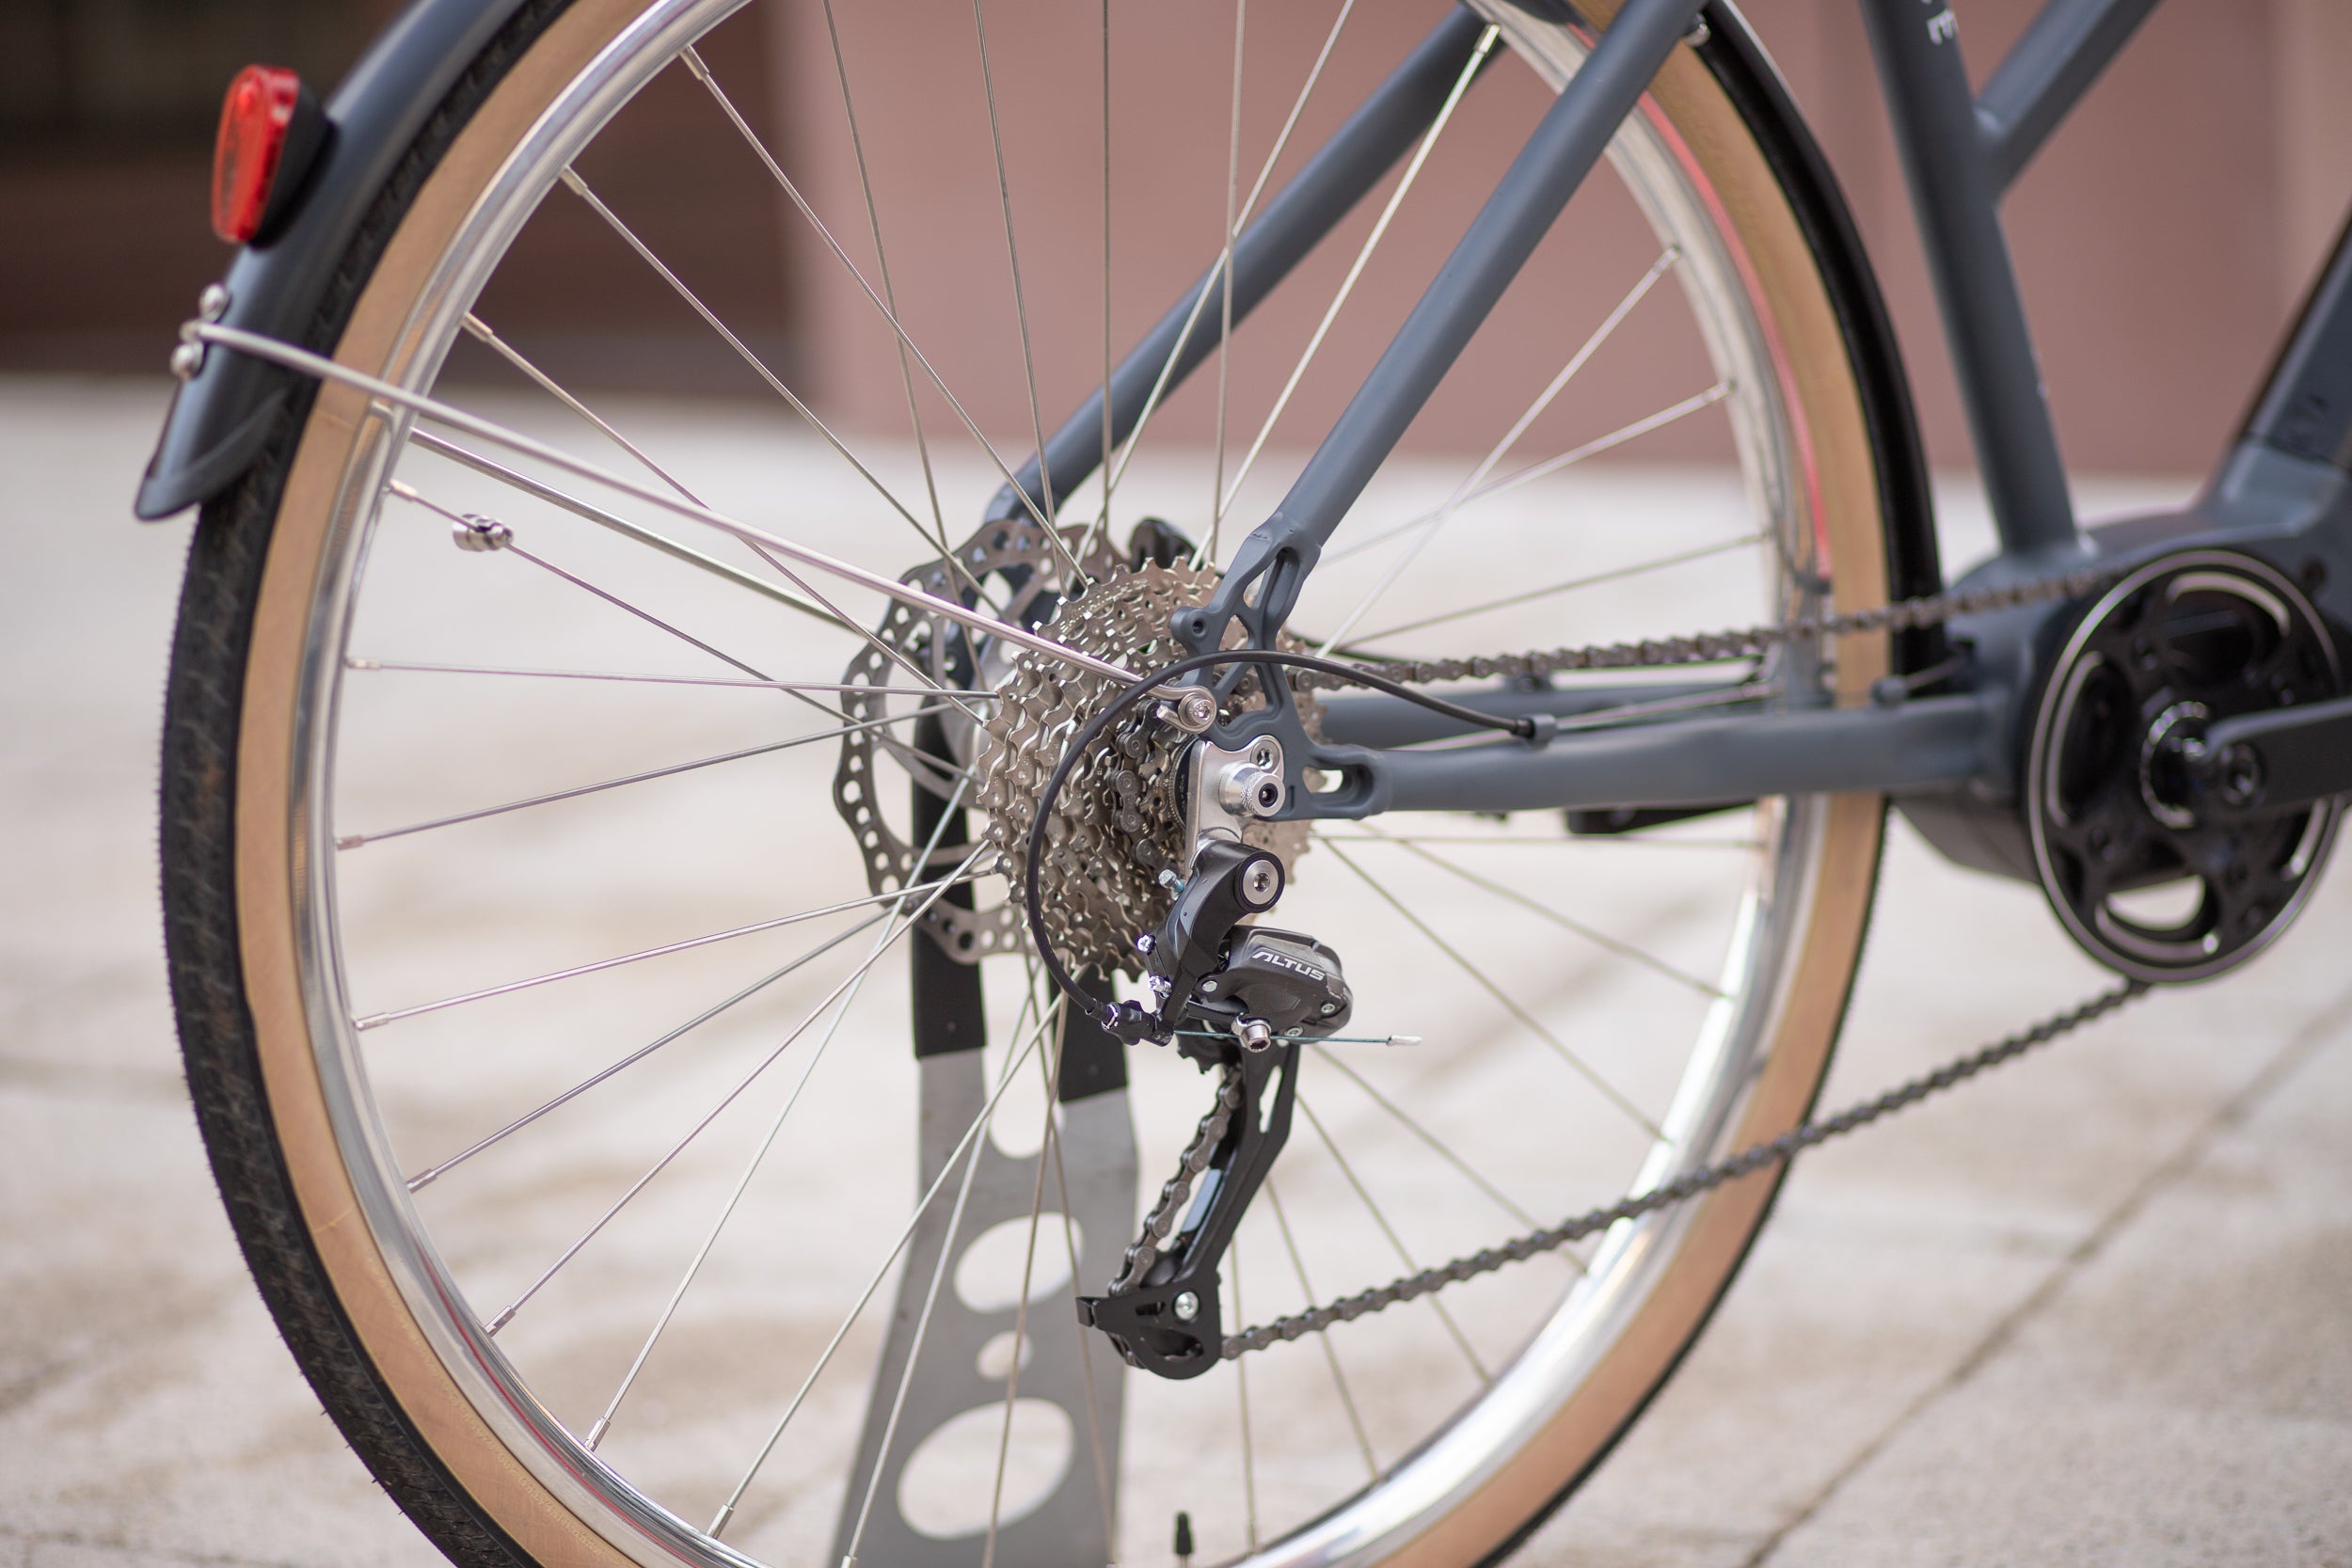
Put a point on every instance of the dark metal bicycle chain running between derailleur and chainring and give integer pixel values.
(1706, 648)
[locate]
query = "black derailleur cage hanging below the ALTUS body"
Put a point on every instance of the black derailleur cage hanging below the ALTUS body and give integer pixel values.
(1170, 1320)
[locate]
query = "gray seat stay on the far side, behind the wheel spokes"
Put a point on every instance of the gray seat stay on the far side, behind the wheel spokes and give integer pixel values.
(1342, 173)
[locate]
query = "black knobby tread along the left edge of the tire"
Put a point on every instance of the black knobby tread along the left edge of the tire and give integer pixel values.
(199, 798)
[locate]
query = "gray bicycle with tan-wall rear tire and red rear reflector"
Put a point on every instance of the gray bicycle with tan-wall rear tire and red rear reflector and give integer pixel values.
(1071, 770)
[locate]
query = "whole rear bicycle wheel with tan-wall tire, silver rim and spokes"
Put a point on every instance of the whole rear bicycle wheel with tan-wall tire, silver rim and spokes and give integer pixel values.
(552, 911)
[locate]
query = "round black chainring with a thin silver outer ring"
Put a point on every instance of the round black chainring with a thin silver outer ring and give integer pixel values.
(2144, 840)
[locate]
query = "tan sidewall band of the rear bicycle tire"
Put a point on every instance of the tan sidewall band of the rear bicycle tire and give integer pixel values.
(272, 826)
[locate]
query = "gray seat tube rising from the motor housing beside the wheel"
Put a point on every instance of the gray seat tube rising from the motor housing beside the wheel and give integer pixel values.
(1977, 288)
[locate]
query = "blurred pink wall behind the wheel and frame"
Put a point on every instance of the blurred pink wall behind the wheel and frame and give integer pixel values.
(2163, 236)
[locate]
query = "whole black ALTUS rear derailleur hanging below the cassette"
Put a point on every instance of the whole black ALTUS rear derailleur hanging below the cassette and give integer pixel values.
(1238, 1000)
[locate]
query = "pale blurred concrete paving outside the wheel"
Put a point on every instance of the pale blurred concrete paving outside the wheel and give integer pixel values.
(2097, 1311)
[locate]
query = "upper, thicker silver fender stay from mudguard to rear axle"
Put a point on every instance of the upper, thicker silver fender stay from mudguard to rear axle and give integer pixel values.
(457, 420)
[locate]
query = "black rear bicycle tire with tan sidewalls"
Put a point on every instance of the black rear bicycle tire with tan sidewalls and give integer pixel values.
(227, 876)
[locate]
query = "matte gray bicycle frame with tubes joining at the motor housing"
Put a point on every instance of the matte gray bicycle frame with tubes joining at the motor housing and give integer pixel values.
(2280, 492)
